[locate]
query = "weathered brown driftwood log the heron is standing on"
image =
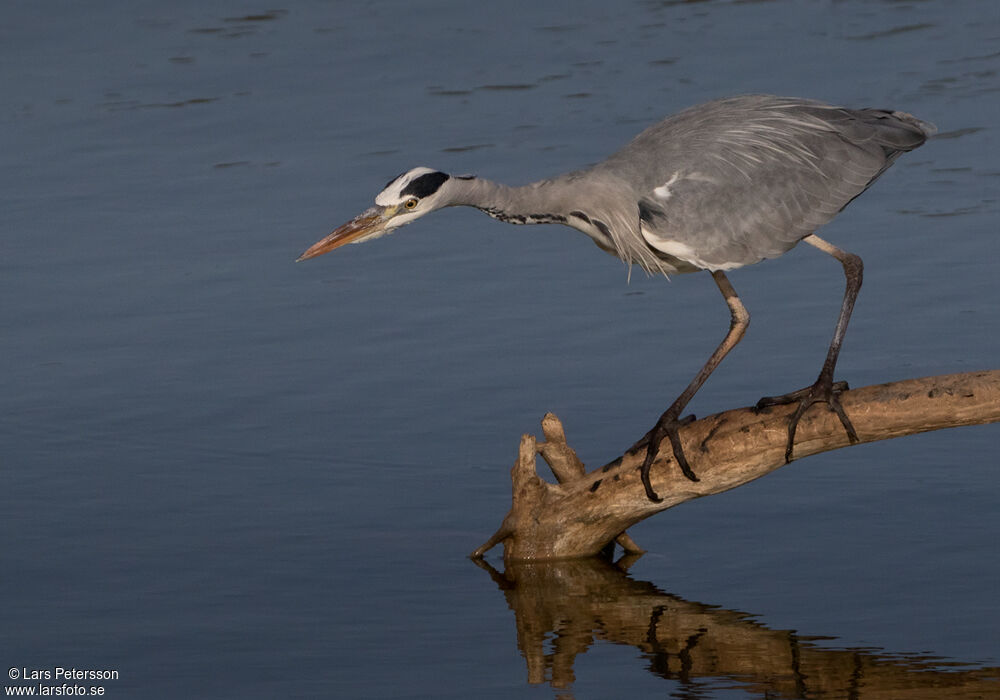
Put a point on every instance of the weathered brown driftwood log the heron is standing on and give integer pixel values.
(587, 511)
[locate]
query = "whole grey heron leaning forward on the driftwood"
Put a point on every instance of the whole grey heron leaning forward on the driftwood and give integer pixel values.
(715, 187)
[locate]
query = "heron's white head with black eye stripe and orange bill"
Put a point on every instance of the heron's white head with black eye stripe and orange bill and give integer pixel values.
(405, 198)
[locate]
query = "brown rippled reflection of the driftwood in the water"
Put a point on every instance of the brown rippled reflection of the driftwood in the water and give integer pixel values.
(562, 608)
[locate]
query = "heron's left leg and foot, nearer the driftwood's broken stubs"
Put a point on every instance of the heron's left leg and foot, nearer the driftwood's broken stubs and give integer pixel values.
(670, 421)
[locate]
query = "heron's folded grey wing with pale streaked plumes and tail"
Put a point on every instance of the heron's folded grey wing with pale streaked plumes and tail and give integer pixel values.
(745, 179)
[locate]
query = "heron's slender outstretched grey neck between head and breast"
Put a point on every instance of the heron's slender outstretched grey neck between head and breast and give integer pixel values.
(538, 203)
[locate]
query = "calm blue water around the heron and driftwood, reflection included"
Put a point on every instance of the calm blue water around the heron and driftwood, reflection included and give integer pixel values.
(230, 476)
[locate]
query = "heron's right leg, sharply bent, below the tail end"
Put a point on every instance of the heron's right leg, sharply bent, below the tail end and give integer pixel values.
(825, 390)
